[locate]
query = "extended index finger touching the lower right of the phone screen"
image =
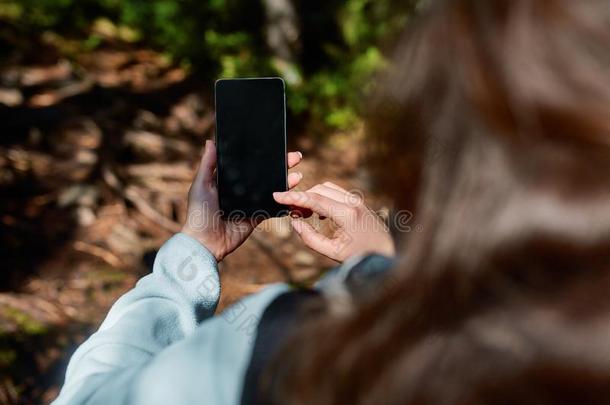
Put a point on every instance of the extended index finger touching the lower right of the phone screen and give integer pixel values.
(319, 204)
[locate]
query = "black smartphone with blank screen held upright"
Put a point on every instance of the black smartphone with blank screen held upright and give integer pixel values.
(251, 146)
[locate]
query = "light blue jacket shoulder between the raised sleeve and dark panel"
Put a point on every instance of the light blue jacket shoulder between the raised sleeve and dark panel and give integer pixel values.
(209, 365)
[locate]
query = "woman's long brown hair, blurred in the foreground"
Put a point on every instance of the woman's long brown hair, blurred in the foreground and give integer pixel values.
(494, 123)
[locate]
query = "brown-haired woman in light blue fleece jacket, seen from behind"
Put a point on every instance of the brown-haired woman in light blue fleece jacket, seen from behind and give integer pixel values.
(495, 122)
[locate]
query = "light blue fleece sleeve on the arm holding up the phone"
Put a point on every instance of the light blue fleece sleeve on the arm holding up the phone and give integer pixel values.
(164, 307)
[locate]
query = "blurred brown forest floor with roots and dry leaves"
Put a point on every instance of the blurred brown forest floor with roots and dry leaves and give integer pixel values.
(96, 157)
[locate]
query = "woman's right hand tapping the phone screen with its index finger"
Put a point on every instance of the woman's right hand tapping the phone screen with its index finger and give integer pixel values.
(358, 229)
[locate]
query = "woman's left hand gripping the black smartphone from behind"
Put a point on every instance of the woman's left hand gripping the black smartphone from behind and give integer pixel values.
(204, 223)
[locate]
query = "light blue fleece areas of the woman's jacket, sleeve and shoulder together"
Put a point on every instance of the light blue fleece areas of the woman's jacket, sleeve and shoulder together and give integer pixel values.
(161, 344)
